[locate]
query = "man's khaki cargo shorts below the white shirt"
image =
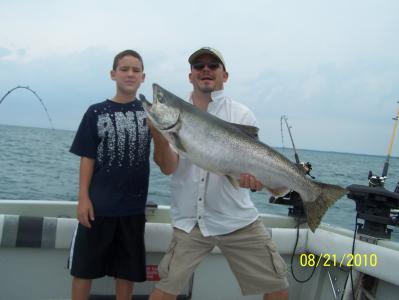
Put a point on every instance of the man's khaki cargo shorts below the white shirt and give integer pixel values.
(250, 252)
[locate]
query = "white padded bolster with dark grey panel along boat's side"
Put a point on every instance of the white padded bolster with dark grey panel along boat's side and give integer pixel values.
(57, 233)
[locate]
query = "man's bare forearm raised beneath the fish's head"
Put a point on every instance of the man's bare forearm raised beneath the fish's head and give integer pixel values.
(164, 156)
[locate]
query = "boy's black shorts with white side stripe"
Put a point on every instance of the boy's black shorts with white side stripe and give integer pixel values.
(113, 246)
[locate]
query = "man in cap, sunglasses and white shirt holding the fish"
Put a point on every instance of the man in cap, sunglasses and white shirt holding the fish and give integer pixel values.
(207, 211)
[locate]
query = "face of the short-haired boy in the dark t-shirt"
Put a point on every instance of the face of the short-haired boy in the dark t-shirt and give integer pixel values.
(128, 75)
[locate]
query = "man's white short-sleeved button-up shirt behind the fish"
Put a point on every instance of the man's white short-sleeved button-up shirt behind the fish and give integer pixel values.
(210, 200)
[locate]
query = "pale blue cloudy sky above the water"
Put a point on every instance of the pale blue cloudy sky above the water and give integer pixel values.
(332, 67)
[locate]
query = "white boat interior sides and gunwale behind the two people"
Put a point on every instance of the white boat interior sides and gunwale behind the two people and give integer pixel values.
(41, 273)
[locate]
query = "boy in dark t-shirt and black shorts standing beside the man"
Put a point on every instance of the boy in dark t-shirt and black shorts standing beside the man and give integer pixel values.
(113, 142)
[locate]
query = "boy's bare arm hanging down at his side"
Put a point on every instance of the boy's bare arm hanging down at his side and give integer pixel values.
(85, 209)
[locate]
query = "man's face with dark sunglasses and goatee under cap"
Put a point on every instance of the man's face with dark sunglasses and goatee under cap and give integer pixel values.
(207, 74)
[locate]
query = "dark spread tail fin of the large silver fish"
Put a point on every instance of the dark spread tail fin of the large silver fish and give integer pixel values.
(327, 197)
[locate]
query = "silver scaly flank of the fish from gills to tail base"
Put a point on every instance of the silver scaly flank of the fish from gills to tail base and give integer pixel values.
(226, 150)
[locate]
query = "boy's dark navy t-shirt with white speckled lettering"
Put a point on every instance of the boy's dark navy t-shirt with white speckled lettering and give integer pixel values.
(117, 137)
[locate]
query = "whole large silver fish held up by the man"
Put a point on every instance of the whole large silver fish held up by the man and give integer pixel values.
(229, 149)
